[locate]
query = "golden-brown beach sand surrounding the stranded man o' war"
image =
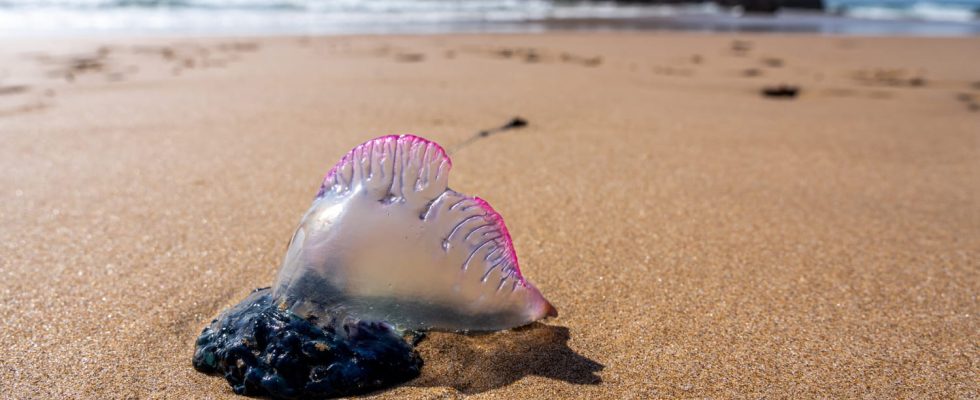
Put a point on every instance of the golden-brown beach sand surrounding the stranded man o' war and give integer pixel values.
(699, 240)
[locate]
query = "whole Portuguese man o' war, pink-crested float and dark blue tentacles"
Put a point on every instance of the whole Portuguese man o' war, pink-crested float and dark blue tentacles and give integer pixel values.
(386, 249)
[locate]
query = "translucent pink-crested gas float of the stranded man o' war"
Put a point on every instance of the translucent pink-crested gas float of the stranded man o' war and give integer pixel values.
(387, 240)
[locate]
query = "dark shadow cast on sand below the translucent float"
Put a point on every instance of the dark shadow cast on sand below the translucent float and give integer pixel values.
(476, 363)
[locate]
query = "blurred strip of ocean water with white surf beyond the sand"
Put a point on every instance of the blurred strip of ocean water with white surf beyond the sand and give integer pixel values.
(260, 17)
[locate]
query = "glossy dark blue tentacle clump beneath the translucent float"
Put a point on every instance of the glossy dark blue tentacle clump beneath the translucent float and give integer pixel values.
(263, 350)
